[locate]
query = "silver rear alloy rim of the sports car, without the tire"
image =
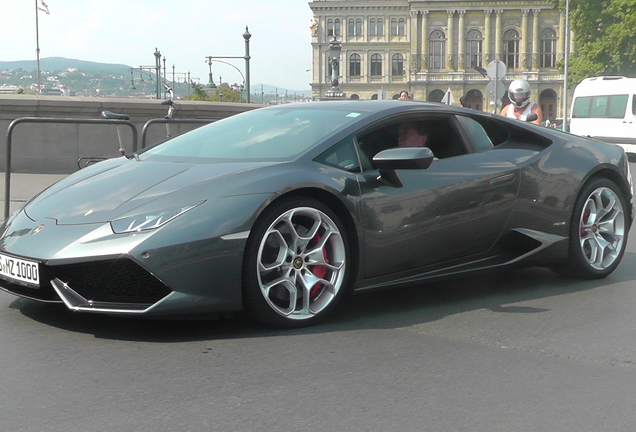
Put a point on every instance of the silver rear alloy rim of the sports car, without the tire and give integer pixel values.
(602, 228)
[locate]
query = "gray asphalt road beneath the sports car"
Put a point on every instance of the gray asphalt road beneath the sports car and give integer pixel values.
(520, 351)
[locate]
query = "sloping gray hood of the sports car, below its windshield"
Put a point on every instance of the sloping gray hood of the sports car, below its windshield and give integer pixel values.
(109, 190)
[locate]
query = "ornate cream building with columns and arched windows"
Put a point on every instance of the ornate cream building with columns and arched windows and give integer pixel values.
(428, 47)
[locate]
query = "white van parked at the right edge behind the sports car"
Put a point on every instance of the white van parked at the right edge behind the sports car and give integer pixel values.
(604, 108)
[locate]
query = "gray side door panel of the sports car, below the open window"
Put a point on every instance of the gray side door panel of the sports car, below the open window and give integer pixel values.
(455, 208)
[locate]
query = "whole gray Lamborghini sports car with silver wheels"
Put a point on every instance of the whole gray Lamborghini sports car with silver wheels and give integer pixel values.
(281, 211)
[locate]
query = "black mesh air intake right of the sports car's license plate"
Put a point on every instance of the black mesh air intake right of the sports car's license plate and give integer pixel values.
(115, 281)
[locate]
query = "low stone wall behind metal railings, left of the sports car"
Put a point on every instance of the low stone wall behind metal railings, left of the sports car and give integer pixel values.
(53, 148)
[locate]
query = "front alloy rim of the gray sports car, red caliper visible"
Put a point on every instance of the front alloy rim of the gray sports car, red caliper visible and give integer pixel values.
(301, 263)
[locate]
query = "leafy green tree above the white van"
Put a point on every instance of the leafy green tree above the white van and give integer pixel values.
(603, 31)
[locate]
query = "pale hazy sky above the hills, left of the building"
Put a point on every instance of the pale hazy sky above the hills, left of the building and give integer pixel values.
(185, 32)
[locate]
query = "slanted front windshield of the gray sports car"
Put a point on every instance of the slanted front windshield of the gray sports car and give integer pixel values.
(261, 134)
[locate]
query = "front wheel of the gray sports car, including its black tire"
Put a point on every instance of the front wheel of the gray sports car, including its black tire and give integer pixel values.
(296, 264)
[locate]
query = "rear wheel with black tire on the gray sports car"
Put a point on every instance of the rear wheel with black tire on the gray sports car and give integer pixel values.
(598, 231)
